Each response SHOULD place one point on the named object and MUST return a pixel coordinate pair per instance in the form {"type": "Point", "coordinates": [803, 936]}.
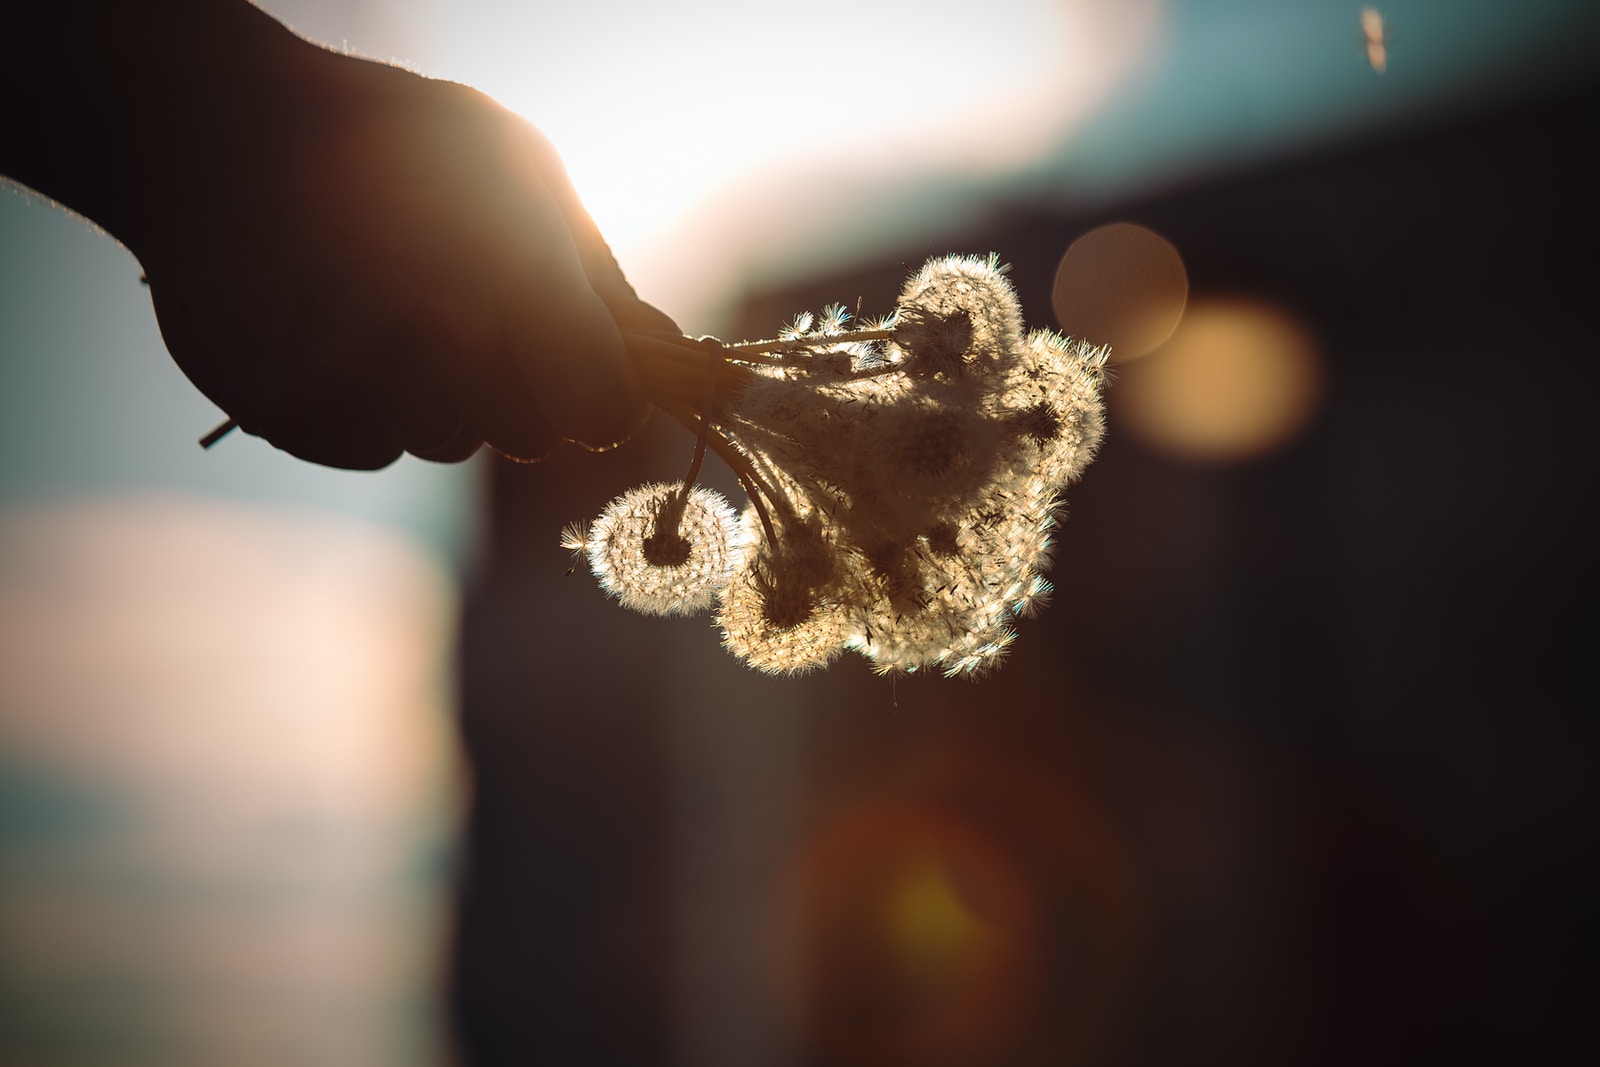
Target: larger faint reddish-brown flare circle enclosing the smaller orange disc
{"type": "Point", "coordinates": [964, 906]}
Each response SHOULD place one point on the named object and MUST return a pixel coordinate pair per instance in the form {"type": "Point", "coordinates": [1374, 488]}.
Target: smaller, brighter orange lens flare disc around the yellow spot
{"type": "Point", "coordinates": [906, 932]}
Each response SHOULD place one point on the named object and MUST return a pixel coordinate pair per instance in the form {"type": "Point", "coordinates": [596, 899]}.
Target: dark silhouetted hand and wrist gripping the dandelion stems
{"type": "Point", "coordinates": [356, 262]}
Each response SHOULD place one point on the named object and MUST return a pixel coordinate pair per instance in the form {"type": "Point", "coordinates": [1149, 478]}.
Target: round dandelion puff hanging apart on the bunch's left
{"type": "Point", "coordinates": [663, 551]}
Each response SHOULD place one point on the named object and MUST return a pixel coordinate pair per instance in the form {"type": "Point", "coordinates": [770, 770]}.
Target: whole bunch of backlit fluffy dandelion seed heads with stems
{"type": "Point", "coordinates": [903, 479]}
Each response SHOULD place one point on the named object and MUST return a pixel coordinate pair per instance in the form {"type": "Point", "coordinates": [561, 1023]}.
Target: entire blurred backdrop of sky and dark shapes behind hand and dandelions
{"type": "Point", "coordinates": [342, 769]}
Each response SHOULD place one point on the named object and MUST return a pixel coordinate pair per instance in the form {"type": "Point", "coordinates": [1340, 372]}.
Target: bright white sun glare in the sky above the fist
{"type": "Point", "coordinates": [670, 116]}
